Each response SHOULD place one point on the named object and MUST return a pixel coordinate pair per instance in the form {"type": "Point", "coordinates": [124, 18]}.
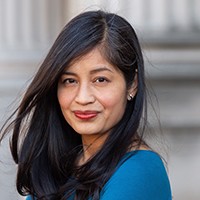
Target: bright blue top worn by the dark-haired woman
{"type": "Point", "coordinates": [140, 175]}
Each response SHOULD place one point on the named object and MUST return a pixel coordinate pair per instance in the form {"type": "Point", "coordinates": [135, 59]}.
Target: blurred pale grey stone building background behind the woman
{"type": "Point", "coordinates": [169, 31]}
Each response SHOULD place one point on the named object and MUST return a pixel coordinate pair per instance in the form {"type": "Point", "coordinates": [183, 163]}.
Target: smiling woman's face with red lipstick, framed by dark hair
{"type": "Point", "coordinates": [92, 95]}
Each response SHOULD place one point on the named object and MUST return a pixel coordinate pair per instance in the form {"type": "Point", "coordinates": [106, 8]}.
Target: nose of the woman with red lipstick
{"type": "Point", "coordinates": [84, 95]}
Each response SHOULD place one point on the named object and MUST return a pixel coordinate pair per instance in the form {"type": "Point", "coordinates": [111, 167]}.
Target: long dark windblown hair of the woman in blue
{"type": "Point", "coordinates": [43, 144]}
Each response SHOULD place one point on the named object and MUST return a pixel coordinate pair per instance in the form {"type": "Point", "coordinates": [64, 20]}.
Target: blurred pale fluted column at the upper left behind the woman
{"type": "Point", "coordinates": [29, 25]}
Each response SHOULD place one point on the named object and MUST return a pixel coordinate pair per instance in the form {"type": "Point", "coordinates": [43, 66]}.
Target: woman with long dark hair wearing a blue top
{"type": "Point", "coordinates": [77, 134]}
